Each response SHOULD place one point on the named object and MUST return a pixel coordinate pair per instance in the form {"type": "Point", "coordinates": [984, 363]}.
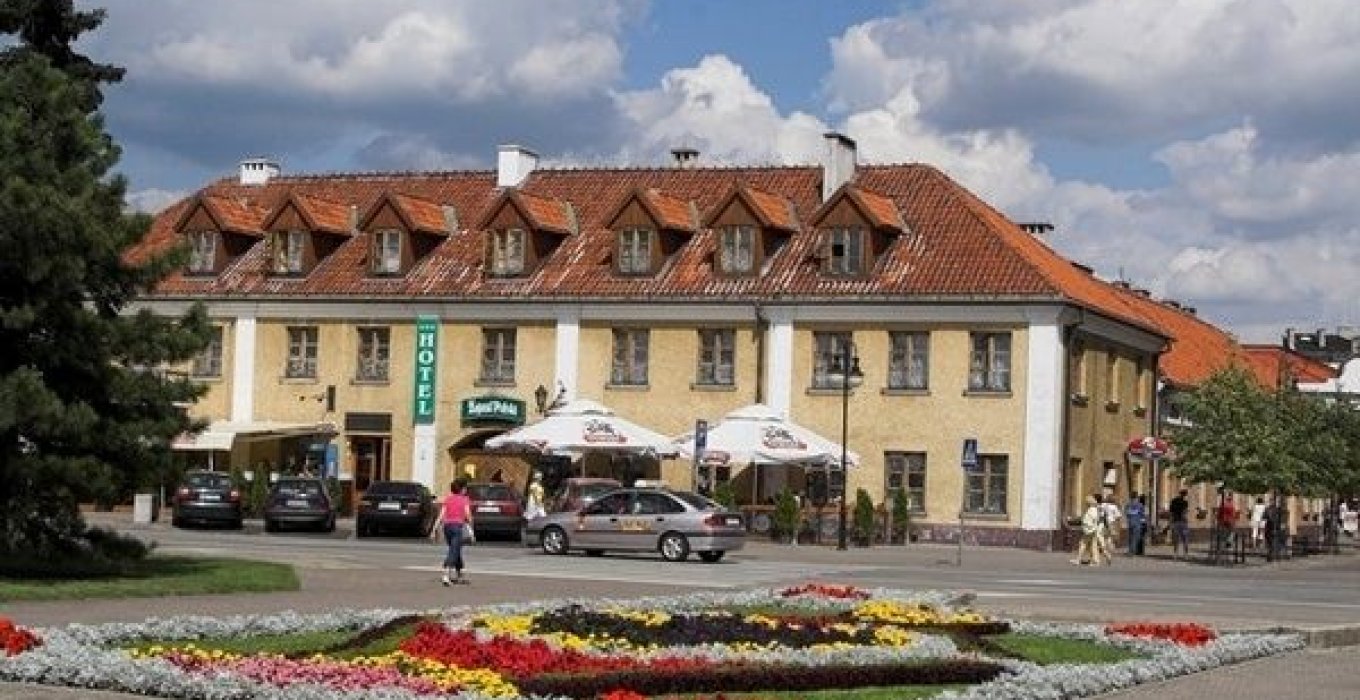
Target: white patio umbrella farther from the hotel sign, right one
{"type": "Point", "coordinates": [760, 436]}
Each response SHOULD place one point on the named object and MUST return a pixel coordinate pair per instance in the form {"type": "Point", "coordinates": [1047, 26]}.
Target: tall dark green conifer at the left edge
{"type": "Point", "coordinates": [85, 408]}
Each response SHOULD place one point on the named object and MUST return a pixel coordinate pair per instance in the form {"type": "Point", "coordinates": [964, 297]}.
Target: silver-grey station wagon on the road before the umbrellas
{"type": "Point", "coordinates": [643, 520]}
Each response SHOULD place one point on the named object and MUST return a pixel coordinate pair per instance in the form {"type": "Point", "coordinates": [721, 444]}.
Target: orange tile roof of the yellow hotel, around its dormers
{"type": "Point", "coordinates": [955, 247]}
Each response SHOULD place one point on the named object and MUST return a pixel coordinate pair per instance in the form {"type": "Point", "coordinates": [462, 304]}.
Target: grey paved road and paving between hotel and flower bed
{"type": "Point", "coordinates": [1313, 595]}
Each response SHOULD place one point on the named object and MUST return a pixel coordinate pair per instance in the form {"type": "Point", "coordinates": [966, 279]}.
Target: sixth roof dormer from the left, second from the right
{"type": "Point", "coordinates": [750, 226]}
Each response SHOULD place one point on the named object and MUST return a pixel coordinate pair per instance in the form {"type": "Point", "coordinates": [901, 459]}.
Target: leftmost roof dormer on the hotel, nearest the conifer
{"type": "Point", "coordinates": [218, 230]}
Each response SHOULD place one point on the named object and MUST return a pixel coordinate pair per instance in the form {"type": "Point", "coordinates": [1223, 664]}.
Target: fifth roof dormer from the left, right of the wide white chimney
{"type": "Point", "coordinates": [649, 228]}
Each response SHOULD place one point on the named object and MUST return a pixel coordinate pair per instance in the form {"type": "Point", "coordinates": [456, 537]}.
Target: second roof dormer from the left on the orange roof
{"type": "Point", "coordinates": [304, 230]}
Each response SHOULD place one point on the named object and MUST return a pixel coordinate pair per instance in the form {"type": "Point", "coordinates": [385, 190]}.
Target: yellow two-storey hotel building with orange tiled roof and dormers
{"type": "Point", "coordinates": [387, 326]}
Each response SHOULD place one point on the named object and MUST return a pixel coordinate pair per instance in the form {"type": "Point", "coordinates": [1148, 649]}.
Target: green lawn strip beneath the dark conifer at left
{"type": "Point", "coordinates": [160, 576]}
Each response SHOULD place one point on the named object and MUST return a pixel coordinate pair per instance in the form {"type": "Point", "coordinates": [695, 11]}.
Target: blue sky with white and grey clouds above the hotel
{"type": "Point", "coordinates": [1208, 150]}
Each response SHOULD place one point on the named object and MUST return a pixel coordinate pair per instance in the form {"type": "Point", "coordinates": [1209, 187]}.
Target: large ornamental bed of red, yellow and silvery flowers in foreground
{"type": "Point", "coordinates": [781, 641]}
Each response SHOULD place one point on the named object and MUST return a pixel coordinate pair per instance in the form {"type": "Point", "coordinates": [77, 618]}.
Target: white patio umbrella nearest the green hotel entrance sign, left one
{"type": "Point", "coordinates": [584, 426]}
